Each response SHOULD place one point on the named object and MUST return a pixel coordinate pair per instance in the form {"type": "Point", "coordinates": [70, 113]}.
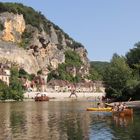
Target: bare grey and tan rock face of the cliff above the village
{"type": "Point", "coordinates": [35, 49]}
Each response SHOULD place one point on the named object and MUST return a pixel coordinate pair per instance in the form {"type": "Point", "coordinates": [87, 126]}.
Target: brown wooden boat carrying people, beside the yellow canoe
{"type": "Point", "coordinates": [126, 112]}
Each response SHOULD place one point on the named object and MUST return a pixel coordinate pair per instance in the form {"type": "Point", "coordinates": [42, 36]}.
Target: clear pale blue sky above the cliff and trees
{"type": "Point", "coordinates": [104, 27]}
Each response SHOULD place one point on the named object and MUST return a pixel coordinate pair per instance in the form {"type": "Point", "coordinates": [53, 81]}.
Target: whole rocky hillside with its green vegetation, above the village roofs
{"type": "Point", "coordinates": [45, 44]}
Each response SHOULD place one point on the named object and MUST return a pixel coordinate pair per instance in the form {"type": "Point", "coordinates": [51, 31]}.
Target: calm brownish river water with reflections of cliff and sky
{"type": "Point", "coordinates": [69, 120]}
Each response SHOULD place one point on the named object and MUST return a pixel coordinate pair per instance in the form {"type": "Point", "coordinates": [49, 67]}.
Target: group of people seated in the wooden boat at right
{"type": "Point", "coordinates": [119, 107]}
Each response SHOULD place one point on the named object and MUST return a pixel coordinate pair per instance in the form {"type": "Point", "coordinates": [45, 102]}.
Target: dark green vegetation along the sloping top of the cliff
{"type": "Point", "coordinates": [38, 20]}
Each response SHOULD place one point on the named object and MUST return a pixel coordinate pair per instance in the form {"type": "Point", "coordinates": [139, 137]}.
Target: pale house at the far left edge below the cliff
{"type": "Point", "coordinates": [5, 73]}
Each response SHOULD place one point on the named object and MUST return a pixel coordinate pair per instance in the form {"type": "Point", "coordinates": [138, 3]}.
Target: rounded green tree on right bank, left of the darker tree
{"type": "Point", "coordinates": [117, 76]}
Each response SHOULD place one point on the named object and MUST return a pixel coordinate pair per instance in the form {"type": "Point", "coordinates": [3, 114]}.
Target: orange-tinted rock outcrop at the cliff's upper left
{"type": "Point", "coordinates": [14, 26]}
